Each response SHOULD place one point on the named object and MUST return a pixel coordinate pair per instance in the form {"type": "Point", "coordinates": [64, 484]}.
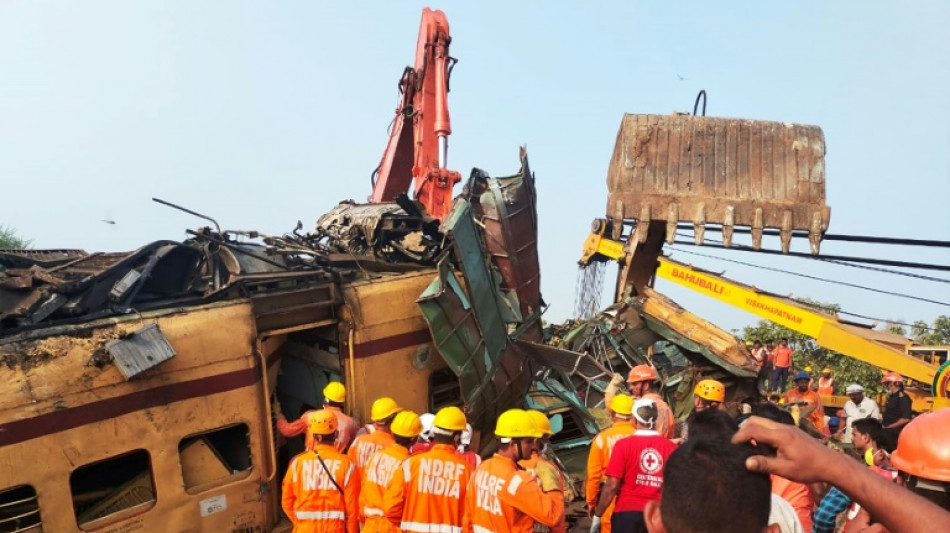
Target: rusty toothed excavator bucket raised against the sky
{"type": "Point", "coordinates": [728, 172]}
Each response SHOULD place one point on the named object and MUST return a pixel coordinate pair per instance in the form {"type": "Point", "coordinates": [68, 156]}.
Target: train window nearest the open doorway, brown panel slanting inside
{"type": "Point", "coordinates": [215, 457]}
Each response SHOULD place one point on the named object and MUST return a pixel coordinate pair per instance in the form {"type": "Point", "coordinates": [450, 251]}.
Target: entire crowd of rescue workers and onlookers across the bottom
{"type": "Point", "coordinates": [645, 473]}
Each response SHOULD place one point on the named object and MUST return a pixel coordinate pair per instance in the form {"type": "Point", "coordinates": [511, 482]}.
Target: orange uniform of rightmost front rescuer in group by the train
{"type": "Point", "coordinates": [501, 499]}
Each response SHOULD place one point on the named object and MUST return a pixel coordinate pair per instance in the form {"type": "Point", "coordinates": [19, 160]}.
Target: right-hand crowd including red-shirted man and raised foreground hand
{"type": "Point", "coordinates": [713, 479]}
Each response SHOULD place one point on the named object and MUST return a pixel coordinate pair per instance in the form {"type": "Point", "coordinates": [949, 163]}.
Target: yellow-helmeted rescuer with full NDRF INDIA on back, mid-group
{"type": "Point", "coordinates": [428, 492]}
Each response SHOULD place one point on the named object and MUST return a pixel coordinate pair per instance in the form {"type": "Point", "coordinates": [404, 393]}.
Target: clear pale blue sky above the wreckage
{"type": "Point", "coordinates": [263, 113]}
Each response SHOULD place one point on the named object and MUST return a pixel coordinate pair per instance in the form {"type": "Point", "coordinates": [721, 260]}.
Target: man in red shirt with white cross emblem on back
{"type": "Point", "coordinates": [635, 471]}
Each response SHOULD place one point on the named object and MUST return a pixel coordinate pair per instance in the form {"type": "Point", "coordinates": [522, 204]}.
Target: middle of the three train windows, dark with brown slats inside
{"type": "Point", "coordinates": [112, 490]}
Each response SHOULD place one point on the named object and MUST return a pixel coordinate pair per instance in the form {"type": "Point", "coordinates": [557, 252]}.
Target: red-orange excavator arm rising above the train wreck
{"type": "Point", "coordinates": [418, 143]}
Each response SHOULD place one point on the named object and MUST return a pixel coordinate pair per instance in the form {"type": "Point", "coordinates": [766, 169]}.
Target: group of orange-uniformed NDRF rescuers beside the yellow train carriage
{"type": "Point", "coordinates": [406, 472]}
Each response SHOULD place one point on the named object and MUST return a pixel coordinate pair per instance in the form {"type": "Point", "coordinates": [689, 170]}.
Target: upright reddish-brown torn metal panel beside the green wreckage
{"type": "Point", "coordinates": [507, 211]}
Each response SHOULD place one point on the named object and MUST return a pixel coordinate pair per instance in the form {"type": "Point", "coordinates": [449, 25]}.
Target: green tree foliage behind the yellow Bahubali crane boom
{"type": "Point", "coordinates": [807, 352]}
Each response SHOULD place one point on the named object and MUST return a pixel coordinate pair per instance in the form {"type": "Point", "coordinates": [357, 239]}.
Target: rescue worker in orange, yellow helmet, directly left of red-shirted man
{"type": "Point", "coordinates": [621, 407]}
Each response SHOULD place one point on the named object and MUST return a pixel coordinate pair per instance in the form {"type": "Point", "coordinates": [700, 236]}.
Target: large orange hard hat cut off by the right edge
{"type": "Point", "coordinates": [923, 448]}
